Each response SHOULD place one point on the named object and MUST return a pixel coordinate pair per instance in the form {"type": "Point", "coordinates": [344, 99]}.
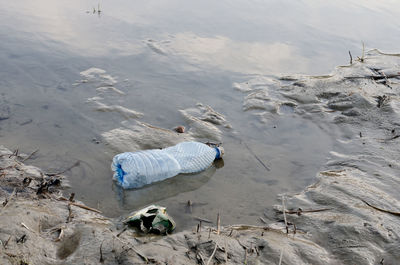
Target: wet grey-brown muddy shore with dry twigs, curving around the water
{"type": "Point", "coordinates": [350, 215]}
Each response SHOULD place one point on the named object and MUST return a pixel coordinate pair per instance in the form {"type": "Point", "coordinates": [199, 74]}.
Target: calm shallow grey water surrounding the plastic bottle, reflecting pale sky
{"type": "Point", "coordinates": [154, 59]}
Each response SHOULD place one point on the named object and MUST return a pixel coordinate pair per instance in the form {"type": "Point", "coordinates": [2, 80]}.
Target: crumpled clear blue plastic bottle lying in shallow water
{"type": "Point", "coordinates": [136, 169]}
